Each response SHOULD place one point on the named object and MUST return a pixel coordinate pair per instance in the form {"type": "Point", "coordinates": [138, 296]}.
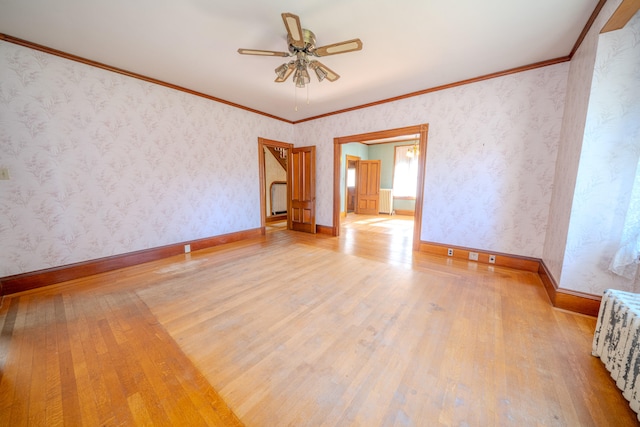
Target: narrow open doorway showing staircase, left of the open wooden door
{"type": "Point", "coordinates": [273, 158]}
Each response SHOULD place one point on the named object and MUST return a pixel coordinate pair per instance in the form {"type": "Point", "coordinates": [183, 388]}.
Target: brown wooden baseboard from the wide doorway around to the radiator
{"type": "Point", "coordinates": [565, 299]}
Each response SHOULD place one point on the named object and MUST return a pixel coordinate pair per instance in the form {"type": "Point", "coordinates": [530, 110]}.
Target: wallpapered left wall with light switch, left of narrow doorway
{"type": "Point", "coordinates": [104, 164]}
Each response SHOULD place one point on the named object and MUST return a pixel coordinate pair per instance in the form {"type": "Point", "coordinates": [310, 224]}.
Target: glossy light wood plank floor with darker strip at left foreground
{"type": "Point", "coordinates": [295, 329]}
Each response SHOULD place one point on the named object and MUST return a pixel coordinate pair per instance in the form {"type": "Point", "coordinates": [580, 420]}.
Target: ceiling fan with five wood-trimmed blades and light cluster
{"type": "Point", "coordinates": [302, 45]}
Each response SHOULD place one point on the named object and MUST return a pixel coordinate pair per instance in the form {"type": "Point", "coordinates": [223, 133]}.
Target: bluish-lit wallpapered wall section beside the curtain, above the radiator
{"type": "Point", "coordinates": [608, 165]}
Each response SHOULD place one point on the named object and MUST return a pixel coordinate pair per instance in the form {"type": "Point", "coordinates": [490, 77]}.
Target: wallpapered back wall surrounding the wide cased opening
{"type": "Point", "coordinates": [491, 155]}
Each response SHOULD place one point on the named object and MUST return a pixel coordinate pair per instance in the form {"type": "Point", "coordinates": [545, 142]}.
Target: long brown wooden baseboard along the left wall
{"type": "Point", "coordinates": [50, 276]}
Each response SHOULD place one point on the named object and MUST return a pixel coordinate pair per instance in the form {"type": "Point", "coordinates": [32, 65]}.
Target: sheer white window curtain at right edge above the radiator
{"type": "Point", "coordinates": [625, 261]}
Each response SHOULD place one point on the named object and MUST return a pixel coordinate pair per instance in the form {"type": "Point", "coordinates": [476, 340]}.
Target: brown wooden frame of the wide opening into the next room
{"type": "Point", "coordinates": [422, 131]}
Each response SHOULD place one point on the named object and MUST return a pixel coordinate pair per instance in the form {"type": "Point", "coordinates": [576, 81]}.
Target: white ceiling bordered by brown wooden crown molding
{"type": "Point", "coordinates": [409, 45]}
